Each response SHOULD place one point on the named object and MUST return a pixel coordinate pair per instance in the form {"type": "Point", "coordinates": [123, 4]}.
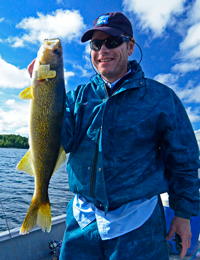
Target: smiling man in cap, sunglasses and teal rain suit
{"type": "Point", "coordinates": [129, 140]}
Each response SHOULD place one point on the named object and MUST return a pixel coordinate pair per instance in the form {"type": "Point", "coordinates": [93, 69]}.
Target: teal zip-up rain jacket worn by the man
{"type": "Point", "coordinates": [134, 144]}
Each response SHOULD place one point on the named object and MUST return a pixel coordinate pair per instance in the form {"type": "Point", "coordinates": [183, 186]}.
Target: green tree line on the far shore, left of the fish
{"type": "Point", "coordinates": [13, 141]}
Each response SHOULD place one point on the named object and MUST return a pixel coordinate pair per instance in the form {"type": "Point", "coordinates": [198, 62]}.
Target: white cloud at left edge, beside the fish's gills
{"type": "Point", "coordinates": [13, 77]}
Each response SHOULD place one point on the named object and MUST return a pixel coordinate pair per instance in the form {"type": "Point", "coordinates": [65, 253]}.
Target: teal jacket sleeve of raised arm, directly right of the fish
{"type": "Point", "coordinates": [67, 133]}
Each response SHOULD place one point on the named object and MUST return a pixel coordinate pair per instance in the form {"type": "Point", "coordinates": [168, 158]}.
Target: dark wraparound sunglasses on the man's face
{"type": "Point", "coordinates": [110, 43]}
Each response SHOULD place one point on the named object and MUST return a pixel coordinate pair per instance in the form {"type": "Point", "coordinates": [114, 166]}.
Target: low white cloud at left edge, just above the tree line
{"type": "Point", "coordinates": [16, 118]}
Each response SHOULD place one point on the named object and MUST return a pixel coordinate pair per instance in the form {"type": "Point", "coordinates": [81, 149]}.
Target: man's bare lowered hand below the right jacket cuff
{"type": "Point", "coordinates": [181, 226]}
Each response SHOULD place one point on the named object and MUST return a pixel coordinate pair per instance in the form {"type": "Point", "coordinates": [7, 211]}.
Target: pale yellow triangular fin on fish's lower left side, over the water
{"type": "Point", "coordinates": [26, 165]}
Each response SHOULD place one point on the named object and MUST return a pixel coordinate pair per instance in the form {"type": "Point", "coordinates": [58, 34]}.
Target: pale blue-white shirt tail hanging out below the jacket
{"type": "Point", "coordinates": [116, 222]}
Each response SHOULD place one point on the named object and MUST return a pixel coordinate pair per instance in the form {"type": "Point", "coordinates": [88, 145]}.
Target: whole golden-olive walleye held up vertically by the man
{"type": "Point", "coordinates": [45, 154]}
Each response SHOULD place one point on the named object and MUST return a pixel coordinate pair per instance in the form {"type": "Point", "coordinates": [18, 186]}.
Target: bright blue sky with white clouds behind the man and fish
{"type": "Point", "coordinates": [167, 31]}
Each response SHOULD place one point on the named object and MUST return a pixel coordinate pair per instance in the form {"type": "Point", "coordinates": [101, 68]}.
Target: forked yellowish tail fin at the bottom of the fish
{"type": "Point", "coordinates": [39, 214]}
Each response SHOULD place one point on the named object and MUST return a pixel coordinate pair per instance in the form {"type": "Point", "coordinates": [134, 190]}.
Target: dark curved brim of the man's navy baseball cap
{"type": "Point", "coordinates": [112, 31]}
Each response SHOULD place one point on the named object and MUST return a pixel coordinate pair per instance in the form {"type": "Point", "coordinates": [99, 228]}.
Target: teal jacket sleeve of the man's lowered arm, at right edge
{"type": "Point", "coordinates": [181, 157]}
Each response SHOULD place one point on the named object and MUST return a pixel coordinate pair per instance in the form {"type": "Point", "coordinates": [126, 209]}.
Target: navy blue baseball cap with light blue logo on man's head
{"type": "Point", "coordinates": [114, 24]}
